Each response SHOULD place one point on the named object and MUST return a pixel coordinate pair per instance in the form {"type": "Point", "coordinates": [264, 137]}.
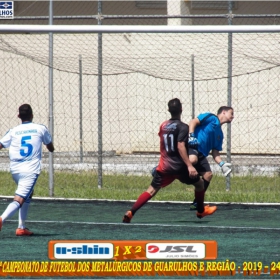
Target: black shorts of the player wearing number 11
{"type": "Point", "coordinates": [162, 180]}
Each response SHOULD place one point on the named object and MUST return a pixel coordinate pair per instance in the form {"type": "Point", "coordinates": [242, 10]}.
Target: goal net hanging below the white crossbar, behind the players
{"type": "Point", "coordinates": [110, 94]}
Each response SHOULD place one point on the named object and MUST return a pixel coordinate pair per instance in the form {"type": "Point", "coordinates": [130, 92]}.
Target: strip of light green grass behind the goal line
{"type": "Point", "coordinates": [247, 189]}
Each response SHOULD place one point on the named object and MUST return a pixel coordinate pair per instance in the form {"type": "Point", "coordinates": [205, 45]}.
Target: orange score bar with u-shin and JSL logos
{"type": "Point", "coordinates": [132, 250]}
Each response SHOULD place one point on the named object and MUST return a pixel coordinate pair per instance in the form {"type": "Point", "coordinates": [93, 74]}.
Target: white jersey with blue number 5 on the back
{"type": "Point", "coordinates": [25, 147]}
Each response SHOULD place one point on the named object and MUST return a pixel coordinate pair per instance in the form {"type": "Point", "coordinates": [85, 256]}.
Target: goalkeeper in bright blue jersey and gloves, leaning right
{"type": "Point", "coordinates": [205, 136]}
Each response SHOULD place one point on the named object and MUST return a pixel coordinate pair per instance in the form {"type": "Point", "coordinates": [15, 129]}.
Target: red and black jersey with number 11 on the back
{"type": "Point", "coordinates": [171, 132]}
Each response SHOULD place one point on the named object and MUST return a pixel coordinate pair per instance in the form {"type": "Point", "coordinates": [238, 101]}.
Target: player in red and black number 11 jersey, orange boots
{"type": "Point", "coordinates": [174, 164]}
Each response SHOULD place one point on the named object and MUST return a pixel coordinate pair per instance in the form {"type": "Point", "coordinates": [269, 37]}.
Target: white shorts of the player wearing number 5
{"type": "Point", "coordinates": [25, 183]}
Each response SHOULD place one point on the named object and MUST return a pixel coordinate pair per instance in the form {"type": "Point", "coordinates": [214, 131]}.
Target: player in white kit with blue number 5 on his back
{"type": "Point", "coordinates": [25, 151]}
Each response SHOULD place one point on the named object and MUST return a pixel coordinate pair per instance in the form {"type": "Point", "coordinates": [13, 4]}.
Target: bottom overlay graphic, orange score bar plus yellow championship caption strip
{"type": "Point", "coordinates": [133, 258]}
